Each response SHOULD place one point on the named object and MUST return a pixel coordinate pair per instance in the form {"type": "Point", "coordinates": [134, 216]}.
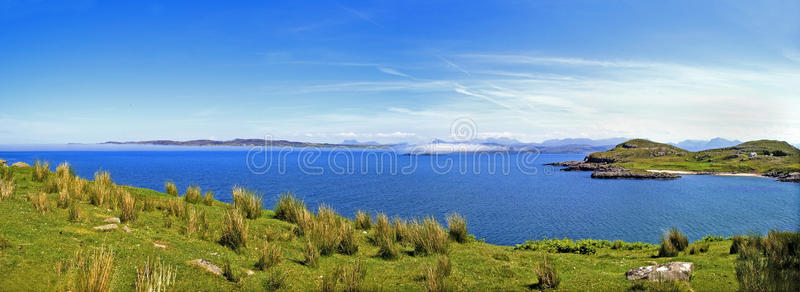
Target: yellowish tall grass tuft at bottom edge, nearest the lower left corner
{"type": "Point", "coordinates": [94, 270]}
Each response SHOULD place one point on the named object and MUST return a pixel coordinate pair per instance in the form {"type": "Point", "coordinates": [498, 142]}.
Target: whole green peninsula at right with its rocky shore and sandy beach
{"type": "Point", "coordinates": [644, 159]}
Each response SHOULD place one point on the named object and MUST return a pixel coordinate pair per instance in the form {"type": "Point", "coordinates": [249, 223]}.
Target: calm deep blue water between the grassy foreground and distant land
{"type": "Point", "coordinates": [504, 208]}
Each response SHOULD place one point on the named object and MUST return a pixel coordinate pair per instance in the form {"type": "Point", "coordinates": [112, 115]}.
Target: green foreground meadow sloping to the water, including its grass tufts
{"type": "Point", "coordinates": [48, 243]}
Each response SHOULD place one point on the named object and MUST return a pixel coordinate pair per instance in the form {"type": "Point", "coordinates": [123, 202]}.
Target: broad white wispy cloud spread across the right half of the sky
{"type": "Point", "coordinates": [632, 98]}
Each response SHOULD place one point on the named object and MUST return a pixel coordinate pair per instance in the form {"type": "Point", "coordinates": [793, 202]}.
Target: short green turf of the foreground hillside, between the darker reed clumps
{"type": "Point", "coordinates": [40, 236]}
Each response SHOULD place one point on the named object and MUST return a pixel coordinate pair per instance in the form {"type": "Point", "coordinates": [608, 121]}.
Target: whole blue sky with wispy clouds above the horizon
{"type": "Point", "coordinates": [93, 71]}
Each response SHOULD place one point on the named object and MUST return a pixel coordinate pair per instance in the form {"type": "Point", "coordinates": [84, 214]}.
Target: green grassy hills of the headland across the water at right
{"type": "Point", "coordinates": [770, 156]}
